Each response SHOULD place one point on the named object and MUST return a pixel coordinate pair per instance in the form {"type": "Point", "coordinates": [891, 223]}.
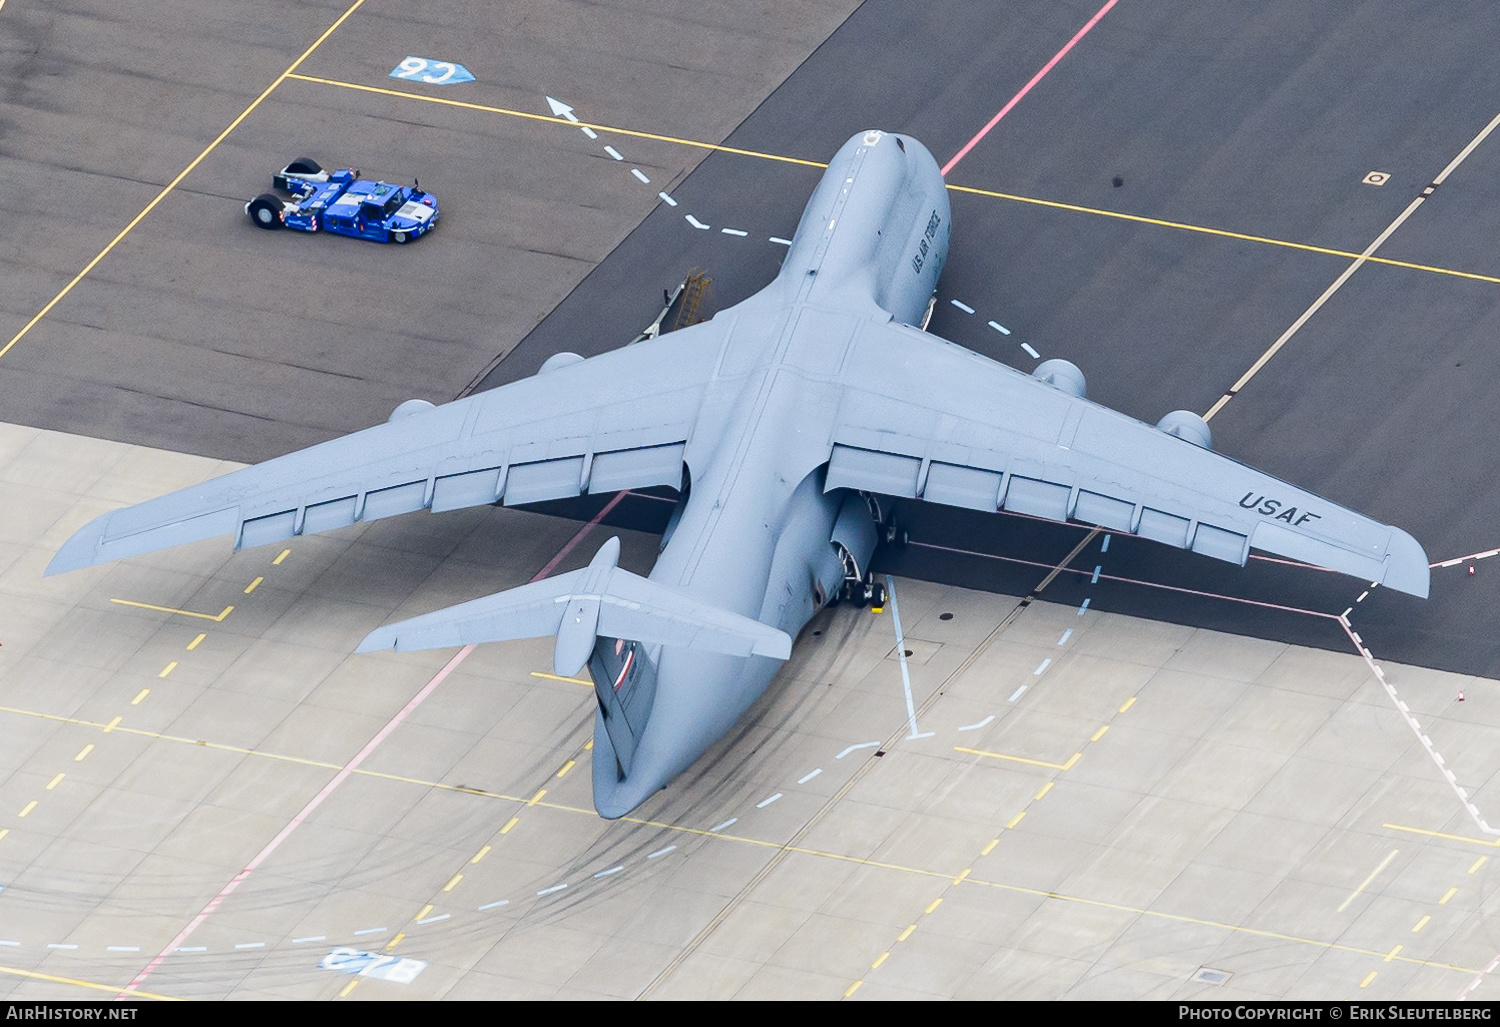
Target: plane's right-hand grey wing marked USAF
{"type": "Point", "coordinates": [925, 419]}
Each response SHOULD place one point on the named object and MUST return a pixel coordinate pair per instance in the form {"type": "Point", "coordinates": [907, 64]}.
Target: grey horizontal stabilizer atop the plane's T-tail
{"type": "Point", "coordinates": [578, 608]}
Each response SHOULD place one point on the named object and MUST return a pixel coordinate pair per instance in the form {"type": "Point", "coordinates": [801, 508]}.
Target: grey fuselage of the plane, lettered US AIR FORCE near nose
{"type": "Point", "coordinates": [754, 536]}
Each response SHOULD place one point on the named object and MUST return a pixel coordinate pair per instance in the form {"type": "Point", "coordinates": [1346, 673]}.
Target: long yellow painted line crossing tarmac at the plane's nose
{"type": "Point", "coordinates": [991, 194]}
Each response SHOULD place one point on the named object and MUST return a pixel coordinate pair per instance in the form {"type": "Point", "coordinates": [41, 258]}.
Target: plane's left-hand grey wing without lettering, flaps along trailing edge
{"type": "Point", "coordinates": [620, 421]}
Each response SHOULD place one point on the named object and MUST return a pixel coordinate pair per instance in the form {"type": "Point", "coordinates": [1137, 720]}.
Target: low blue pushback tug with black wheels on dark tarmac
{"type": "Point", "coordinates": [341, 202]}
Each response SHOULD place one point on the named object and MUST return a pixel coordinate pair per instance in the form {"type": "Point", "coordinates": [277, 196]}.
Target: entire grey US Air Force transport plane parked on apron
{"type": "Point", "coordinates": [778, 422]}
